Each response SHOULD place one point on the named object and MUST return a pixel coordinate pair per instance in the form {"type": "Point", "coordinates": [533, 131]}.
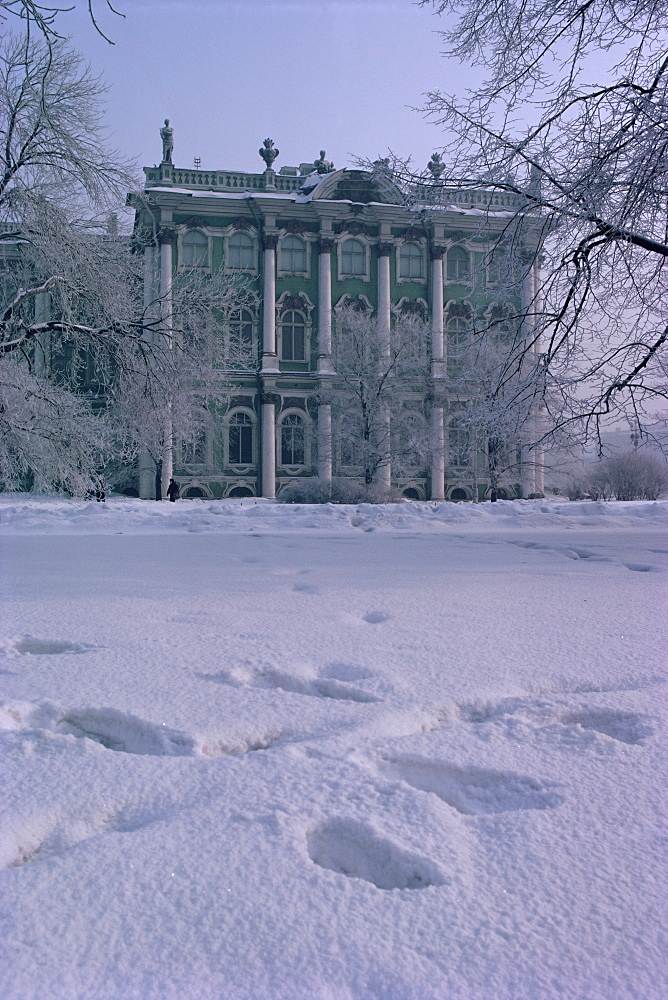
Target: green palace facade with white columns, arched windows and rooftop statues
{"type": "Point", "coordinates": [308, 241]}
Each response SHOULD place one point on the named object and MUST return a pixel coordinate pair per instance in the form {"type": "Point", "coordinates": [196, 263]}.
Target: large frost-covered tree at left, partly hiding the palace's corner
{"type": "Point", "coordinates": [81, 343]}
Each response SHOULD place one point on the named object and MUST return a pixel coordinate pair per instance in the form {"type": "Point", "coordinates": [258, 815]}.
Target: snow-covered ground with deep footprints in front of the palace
{"type": "Point", "coordinates": [257, 752]}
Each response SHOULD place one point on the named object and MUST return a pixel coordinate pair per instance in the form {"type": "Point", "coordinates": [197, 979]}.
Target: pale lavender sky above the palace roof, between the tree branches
{"type": "Point", "coordinates": [339, 75]}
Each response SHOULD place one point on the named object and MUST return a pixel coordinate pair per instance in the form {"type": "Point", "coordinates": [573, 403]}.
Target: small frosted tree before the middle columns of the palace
{"type": "Point", "coordinates": [377, 427]}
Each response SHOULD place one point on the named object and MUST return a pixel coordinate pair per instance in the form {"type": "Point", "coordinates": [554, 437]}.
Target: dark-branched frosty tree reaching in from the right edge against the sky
{"type": "Point", "coordinates": [571, 116]}
